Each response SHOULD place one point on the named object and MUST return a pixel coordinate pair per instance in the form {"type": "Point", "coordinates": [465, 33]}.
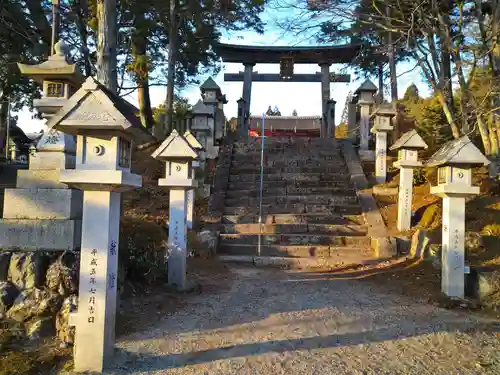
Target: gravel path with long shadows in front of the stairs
{"type": "Point", "coordinates": [279, 322]}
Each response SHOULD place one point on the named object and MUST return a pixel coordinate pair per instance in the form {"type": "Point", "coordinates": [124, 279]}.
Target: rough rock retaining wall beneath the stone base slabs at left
{"type": "Point", "coordinates": [37, 292]}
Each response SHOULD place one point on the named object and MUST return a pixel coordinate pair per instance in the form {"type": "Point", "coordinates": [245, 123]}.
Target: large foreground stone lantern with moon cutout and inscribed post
{"type": "Point", "coordinates": [106, 127]}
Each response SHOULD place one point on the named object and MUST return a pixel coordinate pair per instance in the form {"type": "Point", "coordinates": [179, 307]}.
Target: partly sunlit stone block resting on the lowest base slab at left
{"type": "Point", "coordinates": [42, 204]}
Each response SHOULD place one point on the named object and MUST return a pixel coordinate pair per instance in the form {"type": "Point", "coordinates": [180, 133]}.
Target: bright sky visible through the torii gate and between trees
{"type": "Point", "coordinates": [303, 97]}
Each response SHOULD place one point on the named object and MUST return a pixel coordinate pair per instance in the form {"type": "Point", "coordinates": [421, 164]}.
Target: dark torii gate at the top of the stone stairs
{"type": "Point", "coordinates": [324, 56]}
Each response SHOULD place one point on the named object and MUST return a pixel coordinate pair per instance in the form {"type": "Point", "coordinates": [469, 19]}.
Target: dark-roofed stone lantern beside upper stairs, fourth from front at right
{"type": "Point", "coordinates": [365, 100]}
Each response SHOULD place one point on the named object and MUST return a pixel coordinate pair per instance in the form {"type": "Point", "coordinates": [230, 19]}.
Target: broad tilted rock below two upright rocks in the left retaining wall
{"type": "Point", "coordinates": [34, 302]}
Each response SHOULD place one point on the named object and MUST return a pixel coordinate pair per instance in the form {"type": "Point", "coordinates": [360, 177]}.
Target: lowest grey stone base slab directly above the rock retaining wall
{"type": "Point", "coordinates": [32, 235]}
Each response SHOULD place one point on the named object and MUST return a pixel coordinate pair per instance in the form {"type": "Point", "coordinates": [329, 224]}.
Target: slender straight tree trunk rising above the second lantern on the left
{"type": "Point", "coordinates": [172, 54]}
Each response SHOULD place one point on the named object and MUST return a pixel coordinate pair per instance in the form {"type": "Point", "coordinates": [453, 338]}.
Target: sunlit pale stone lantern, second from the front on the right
{"type": "Point", "coordinates": [407, 146]}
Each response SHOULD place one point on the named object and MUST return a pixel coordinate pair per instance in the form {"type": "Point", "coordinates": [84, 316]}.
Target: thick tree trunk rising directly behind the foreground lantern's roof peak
{"type": "Point", "coordinates": [106, 43]}
